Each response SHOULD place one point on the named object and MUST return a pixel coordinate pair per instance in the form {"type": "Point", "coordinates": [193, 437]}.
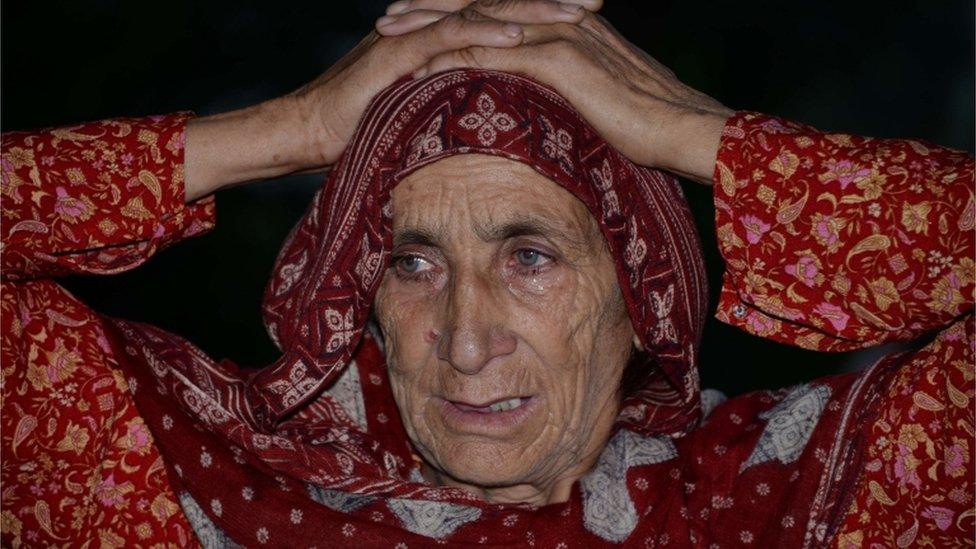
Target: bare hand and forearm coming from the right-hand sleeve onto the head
{"type": "Point", "coordinates": [653, 118]}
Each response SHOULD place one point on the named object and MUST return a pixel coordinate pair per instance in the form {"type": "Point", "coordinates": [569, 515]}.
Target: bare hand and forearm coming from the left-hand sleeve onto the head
{"type": "Point", "coordinates": [308, 129]}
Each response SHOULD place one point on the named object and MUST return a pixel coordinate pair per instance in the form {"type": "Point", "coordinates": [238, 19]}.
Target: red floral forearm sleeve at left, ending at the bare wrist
{"type": "Point", "coordinates": [97, 198]}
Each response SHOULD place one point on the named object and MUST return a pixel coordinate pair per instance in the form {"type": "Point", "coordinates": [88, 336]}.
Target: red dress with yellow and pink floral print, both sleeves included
{"type": "Point", "coordinates": [832, 242]}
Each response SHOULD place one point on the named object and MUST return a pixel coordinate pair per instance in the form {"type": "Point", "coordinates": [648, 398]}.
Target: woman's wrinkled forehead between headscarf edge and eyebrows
{"type": "Point", "coordinates": [489, 198]}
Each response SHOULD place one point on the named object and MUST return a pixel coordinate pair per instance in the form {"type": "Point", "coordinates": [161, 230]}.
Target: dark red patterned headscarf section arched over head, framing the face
{"type": "Point", "coordinates": [327, 274]}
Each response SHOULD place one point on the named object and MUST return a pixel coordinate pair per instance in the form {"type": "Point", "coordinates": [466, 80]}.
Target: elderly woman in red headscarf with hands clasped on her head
{"type": "Point", "coordinates": [490, 315]}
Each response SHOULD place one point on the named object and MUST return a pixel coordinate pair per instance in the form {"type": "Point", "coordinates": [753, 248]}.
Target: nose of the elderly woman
{"type": "Point", "coordinates": [472, 336]}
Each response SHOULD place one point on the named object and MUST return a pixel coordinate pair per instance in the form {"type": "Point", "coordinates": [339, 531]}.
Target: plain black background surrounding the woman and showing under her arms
{"type": "Point", "coordinates": [892, 69]}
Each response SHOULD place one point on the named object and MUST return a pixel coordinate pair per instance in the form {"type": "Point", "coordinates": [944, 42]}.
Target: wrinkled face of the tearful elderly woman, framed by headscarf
{"type": "Point", "coordinates": [506, 333]}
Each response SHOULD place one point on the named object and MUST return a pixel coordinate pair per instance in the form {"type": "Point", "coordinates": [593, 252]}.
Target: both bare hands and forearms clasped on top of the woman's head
{"type": "Point", "coordinates": [653, 118]}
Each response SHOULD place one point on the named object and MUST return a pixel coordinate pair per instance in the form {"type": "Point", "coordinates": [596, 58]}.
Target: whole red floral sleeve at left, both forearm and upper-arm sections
{"type": "Point", "coordinates": [79, 462]}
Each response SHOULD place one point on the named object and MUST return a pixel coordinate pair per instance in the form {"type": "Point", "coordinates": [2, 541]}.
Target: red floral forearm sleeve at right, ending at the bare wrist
{"type": "Point", "coordinates": [835, 242]}
